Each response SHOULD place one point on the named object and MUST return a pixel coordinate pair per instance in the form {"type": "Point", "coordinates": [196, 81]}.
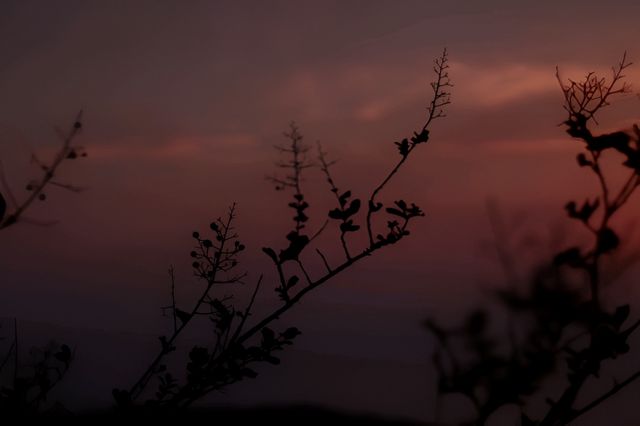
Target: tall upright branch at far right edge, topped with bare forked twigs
{"type": "Point", "coordinates": [582, 101]}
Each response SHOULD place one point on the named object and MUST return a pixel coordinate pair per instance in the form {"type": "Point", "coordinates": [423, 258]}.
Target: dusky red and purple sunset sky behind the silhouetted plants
{"type": "Point", "coordinates": [184, 100]}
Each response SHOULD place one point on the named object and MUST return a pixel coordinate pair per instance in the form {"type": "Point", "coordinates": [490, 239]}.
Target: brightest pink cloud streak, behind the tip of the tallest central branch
{"type": "Point", "coordinates": [374, 91]}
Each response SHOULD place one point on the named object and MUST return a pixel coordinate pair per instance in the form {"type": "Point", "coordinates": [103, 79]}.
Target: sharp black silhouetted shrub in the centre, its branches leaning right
{"type": "Point", "coordinates": [240, 342]}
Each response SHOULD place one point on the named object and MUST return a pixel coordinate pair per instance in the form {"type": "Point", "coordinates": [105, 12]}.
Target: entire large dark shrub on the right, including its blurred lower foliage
{"type": "Point", "coordinates": [563, 295]}
